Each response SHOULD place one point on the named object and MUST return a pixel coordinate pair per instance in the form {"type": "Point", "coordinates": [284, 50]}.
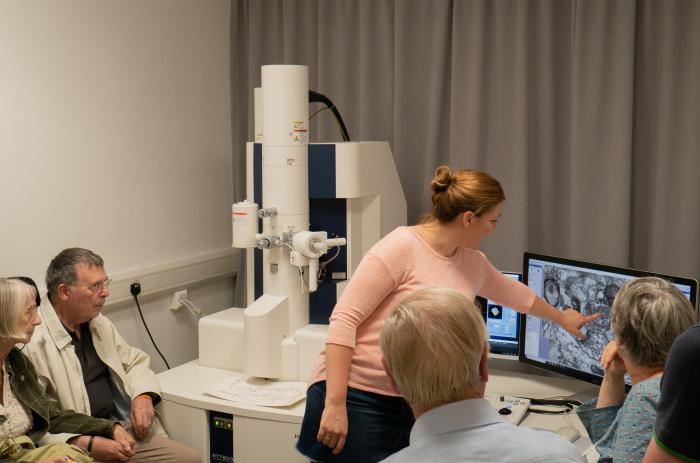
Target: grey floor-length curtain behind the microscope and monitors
{"type": "Point", "coordinates": [588, 112]}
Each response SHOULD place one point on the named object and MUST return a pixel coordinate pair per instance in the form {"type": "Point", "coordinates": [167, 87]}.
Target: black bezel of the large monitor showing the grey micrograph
{"type": "Point", "coordinates": [635, 273]}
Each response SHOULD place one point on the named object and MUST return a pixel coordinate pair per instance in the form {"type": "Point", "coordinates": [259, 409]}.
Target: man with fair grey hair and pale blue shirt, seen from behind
{"type": "Point", "coordinates": [435, 349]}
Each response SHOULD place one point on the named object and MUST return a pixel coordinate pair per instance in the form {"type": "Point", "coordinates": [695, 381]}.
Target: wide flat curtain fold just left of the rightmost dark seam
{"type": "Point", "coordinates": [600, 118]}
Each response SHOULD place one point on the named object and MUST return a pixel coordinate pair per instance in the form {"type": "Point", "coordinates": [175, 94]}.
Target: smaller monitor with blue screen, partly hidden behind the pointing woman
{"type": "Point", "coordinates": [503, 324]}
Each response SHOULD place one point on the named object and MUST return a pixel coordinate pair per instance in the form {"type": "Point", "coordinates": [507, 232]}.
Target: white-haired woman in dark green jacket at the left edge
{"type": "Point", "coordinates": [26, 415]}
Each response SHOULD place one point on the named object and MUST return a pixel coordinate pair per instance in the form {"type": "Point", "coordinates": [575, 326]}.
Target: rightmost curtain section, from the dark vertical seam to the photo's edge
{"type": "Point", "coordinates": [666, 162]}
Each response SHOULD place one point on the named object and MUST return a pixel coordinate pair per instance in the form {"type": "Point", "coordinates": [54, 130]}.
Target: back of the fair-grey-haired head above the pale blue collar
{"type": "Point", "coordinates": [433, 343]}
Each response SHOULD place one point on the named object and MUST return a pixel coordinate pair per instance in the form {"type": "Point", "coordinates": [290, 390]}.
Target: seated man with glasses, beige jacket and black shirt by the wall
{"type": "Point", "coordinates": [85, 365]}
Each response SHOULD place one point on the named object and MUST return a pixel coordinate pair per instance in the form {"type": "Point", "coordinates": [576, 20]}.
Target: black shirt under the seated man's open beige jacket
{"type": "Point", "coordinates": [95, 374]}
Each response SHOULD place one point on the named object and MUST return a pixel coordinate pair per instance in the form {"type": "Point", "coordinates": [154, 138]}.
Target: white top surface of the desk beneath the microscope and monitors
{"type": "Point", "coordinates": [185, 385]}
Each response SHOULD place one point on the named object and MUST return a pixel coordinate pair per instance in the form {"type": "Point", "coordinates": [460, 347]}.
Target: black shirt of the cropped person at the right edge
{"type": "Point", "coordinates": [676, 422]}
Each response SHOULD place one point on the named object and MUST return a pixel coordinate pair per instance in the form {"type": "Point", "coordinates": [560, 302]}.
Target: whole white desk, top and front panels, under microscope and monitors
{"type": "Point", "coordinates": [264, 434]}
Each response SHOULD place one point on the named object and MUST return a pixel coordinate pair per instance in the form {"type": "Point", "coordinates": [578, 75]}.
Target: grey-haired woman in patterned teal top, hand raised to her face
{"type": "Point", "coordinates": [647, 315]}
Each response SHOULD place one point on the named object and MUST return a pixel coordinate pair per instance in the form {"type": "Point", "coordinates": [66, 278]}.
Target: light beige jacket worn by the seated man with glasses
{"type": "Point", "coordinates": [59, 370]}
